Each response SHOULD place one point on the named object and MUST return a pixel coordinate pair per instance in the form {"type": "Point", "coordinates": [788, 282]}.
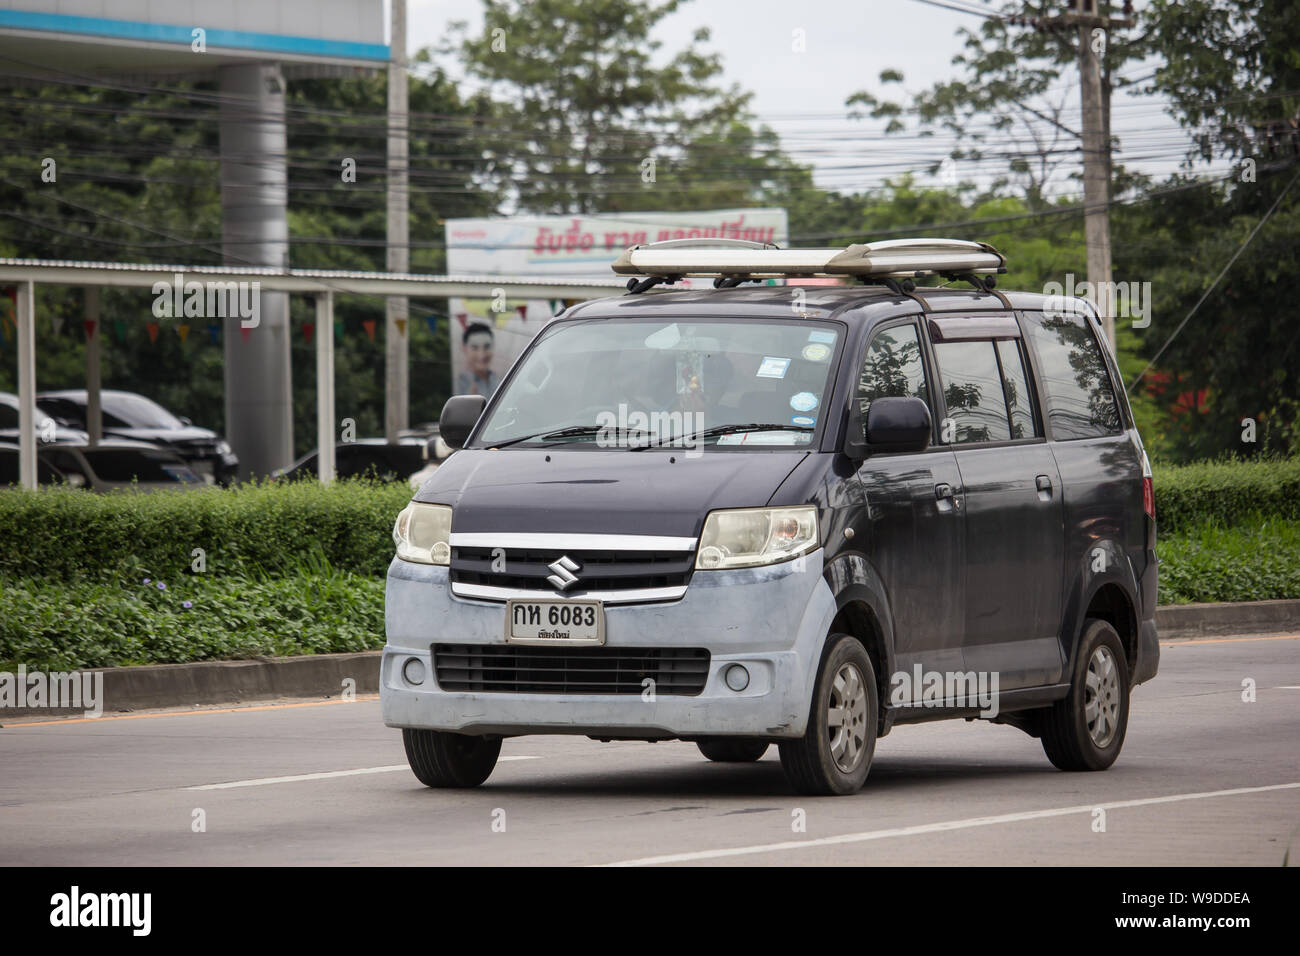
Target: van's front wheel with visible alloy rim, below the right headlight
{"type": "Point", "coordinates": [835, 755]}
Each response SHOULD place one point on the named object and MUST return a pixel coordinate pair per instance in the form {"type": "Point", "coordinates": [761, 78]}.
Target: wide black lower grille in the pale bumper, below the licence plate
{"type": "Point", "coordinates": [521, 669]}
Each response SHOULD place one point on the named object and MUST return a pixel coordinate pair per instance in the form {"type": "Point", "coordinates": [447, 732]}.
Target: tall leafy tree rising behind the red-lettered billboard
{"type": "Point", "coordinates": [587, 120]}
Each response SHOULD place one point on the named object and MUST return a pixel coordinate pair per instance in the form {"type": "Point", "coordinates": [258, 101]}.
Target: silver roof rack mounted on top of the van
{"type": "Point", "coordinates": [740, 261]}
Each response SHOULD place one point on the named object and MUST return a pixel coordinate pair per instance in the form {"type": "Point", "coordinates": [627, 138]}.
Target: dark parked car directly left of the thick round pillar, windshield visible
{"type": "Point", "coordinates": [131, 416]}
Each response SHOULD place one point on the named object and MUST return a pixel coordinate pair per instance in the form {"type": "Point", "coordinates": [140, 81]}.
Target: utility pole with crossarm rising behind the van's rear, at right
{"type": "Point", "coordinates": [1094, 34]}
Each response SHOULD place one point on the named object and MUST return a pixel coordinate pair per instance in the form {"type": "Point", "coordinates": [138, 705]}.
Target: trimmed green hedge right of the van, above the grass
{"type": "Point", "coordinates": [1225, 494]}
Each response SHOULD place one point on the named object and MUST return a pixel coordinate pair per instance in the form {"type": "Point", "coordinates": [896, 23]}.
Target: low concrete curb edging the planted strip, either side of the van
{"type": "Point", "coordinates": [323, 676]}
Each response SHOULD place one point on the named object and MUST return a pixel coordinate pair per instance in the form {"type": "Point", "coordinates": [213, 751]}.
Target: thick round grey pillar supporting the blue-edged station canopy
{"type": "Point", "coordinates": [255, 232]}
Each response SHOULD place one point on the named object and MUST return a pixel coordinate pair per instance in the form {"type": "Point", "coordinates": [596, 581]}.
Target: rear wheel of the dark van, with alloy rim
{"type": "Point", "coordinates": [1080, 734]}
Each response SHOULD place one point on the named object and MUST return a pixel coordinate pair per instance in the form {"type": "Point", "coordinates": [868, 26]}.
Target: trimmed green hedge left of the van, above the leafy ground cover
{"type": "Point", "coordinates": [272, 530]}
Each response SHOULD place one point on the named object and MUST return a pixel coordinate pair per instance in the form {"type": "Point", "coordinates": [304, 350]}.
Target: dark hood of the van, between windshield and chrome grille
{"type": "Point", "coordinates": [616, 492]}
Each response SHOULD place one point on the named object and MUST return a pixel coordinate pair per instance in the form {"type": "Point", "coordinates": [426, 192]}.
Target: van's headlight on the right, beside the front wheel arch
{"type": "Point", "coordinates": [753, 537]}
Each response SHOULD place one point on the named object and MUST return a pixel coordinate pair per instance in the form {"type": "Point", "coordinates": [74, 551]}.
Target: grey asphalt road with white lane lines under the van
{"type": "Point", "coordinates": [1204, 780]}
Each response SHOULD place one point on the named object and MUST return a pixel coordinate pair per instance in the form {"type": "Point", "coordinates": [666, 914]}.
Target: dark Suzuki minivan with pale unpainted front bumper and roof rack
{"type": "Point", "coordinates": [782, 514]}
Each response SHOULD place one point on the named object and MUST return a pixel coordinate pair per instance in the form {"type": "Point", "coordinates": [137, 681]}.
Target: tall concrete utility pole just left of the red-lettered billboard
{"type": "Point", "coordinates": [397, 327]}
